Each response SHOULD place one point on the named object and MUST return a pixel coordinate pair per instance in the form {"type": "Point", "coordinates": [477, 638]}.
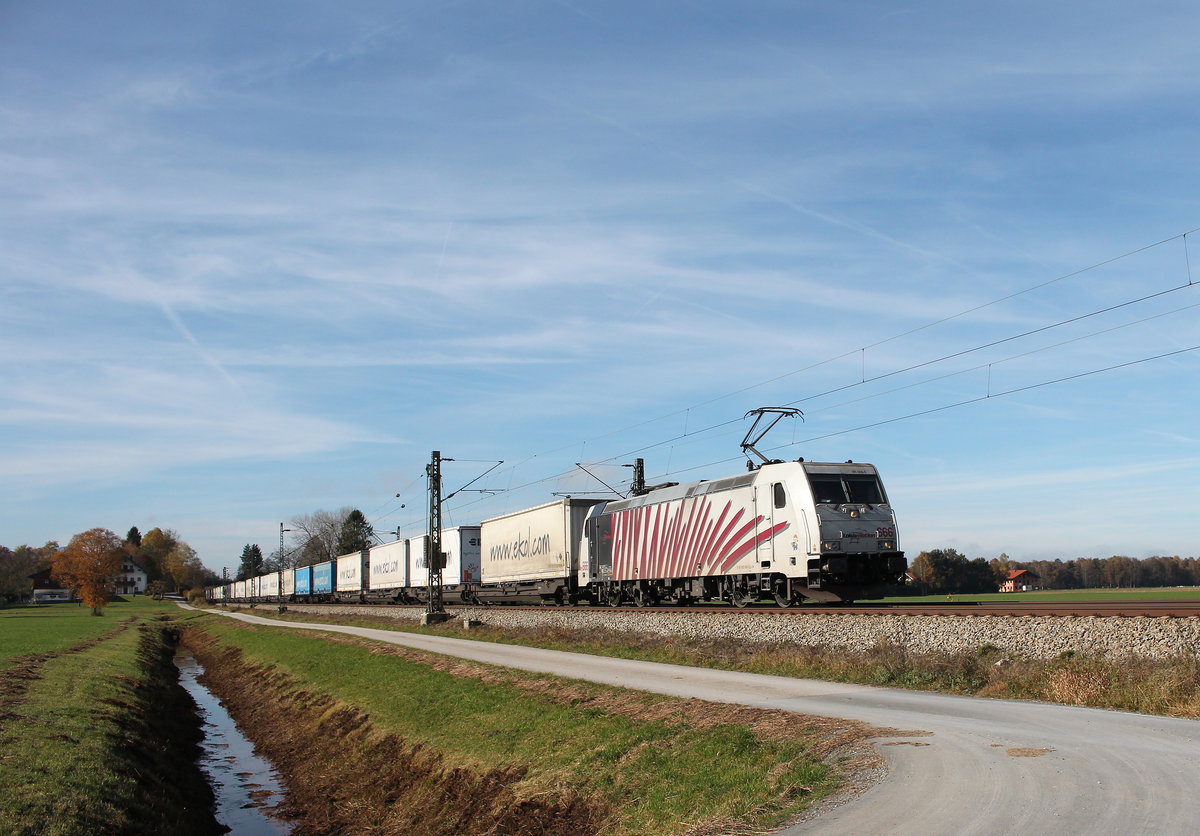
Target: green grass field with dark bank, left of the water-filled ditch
{"type": "Point", "coordinates": [80, 754]}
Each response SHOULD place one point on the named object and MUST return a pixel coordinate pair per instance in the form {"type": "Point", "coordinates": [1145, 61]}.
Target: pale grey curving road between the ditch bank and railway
{"type": "Point", "coordinates": [989, 767]}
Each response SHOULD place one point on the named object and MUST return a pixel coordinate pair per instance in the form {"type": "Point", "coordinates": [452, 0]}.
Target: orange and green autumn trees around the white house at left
{"type": "Point", "coordinates": [94, 560]}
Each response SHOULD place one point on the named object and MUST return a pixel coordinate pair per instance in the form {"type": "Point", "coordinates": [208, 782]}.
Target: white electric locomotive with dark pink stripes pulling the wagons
{"type": "Point", "coordinates": [789, 532]}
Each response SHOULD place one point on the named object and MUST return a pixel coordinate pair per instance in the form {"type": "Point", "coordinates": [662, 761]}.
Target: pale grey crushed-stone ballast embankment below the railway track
{"type": "Point", "coordinates": [1030, 636]}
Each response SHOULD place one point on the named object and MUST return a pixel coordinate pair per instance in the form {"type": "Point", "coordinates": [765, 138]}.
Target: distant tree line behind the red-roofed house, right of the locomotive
{"type": "Point", "coordinates": [946, 572]}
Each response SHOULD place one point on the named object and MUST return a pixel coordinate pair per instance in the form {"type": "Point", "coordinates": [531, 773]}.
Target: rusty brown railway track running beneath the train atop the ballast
{"type": "Point", "coordinates": [1015, 610]}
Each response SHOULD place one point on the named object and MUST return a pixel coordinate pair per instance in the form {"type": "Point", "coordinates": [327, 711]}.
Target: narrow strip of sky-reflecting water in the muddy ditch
{"type": "Point", "coordinates": [245, 785]}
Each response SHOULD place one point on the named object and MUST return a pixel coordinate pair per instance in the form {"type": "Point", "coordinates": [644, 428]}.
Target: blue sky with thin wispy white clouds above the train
{"type": "Point", "coordinates": [260, 260]}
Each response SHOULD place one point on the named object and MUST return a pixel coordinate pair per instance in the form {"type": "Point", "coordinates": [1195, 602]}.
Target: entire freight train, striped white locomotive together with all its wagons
{"type": "Point", "coordinates": [787, 531]}
